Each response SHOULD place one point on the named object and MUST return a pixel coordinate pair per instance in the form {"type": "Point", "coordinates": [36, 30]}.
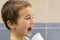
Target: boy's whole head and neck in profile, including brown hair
{"type": "Point", "coordinates": [17, 16]}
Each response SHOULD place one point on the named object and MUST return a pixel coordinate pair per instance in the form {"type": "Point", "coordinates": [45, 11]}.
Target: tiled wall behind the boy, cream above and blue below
{"type": "Point", "coordinates": [46, 17]}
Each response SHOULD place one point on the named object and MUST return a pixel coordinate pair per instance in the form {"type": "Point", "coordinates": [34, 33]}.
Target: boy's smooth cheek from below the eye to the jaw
{"type": "Point", "coordinates": [22, 26]}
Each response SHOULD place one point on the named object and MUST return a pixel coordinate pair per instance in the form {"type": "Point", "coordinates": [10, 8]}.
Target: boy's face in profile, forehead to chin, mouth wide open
{"type": "Point", "coordinates": [24, 22]}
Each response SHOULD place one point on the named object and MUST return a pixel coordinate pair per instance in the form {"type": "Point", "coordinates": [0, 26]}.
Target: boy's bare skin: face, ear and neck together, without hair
{"type": "Point", "coordinates": [25, 21]}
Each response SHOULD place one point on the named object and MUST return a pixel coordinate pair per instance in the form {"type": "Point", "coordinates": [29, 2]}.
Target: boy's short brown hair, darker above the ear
{"type": "Point", "coordinates": [10, 10]}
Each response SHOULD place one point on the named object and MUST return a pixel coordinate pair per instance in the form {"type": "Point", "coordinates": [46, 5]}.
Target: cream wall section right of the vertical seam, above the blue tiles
{"type": "Point", "coordinates": [53, 11]}
